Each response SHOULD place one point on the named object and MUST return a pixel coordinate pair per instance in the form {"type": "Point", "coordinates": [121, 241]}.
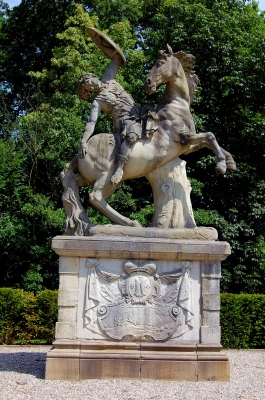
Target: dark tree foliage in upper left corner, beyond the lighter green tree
{"type": "Point", "coordinates": [26, 43]}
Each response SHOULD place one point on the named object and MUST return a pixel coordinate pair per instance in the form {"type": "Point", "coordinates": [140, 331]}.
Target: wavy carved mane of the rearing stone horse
{"type": "Point", "coordinates": [187, 61]}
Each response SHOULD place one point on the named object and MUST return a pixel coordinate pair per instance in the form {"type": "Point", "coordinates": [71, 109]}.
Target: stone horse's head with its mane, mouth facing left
{"type": "Point", "coordinates": [170, 66]}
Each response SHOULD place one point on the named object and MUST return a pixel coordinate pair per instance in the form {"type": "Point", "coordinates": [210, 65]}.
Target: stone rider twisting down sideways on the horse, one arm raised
{"type": "Point", "coordinates": [127, 116]}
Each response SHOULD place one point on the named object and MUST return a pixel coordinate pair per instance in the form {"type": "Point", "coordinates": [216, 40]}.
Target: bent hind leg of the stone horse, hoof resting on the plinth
{"type": "Point", "coordinates": [102, 189]}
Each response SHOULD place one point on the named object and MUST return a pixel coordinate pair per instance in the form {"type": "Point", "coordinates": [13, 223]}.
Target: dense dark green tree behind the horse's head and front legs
{"type": "Point", "coordinates": [227, 38]}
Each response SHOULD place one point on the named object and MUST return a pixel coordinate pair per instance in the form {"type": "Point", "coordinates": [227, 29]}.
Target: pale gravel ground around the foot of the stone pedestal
{"type": "Point", "coordinates": [22, 377]}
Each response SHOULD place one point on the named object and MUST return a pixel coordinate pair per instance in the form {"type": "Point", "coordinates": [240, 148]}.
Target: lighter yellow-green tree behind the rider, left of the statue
{"type": "Point", "coordinates": [44, 138]}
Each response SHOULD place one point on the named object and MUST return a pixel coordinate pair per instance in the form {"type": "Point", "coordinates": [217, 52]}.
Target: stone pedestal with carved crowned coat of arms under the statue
{"type": "Point", "coordinates": [138, 308]}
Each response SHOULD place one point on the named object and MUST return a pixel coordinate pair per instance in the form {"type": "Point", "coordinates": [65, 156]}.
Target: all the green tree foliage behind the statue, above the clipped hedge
{"type": "Point", "coordinates": [44, 50]}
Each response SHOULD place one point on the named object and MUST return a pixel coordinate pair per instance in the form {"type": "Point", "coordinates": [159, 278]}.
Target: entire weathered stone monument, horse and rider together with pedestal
{"type": "Point", "coordinates": [132, 300]}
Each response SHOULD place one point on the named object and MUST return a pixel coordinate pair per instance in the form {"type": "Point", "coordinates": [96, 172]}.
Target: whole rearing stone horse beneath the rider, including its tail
{"type": "Point", "coordinates": [176, 135]}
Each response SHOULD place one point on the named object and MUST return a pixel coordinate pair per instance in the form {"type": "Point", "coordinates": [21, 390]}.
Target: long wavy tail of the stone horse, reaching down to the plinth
{"type": "Point", "coordinates": [77, 222]}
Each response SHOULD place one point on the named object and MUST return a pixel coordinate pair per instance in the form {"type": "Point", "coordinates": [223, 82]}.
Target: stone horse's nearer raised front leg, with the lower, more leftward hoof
{"type": "Point", "coordinates": [208, 140]}
